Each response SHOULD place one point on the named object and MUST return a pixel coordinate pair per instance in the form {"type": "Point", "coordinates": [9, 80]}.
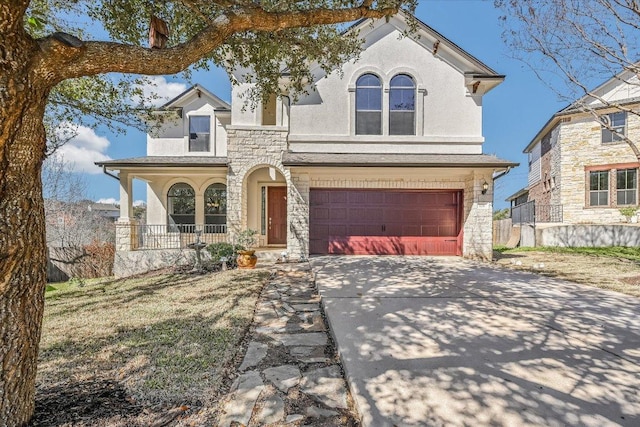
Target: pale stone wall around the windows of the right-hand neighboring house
{"type": "Point", "coordinates": [581, 146]}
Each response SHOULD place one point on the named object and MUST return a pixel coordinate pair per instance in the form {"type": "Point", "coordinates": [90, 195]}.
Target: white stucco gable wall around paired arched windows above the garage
{"type": "Point", "coordinates": [445, 112]}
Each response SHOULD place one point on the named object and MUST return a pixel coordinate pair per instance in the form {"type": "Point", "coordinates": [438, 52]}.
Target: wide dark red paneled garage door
{"type": "Point", "coordinates": [367, 222]}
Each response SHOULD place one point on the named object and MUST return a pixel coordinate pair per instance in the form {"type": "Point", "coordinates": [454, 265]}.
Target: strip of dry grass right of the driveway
{"type": "Point", "coordinates": [605, 269]}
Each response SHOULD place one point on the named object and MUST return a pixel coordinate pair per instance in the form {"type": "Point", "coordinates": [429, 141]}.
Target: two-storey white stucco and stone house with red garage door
{"type": "Point", "coordinates": [385, 159]}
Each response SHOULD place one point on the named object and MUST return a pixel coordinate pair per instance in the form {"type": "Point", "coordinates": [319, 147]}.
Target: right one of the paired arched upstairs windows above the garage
{"type": "Point", "coordinates": [402, 105]}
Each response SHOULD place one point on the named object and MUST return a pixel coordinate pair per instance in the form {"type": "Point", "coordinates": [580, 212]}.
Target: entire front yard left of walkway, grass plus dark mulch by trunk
{"type": "Point", "coordinates": [158, 349]}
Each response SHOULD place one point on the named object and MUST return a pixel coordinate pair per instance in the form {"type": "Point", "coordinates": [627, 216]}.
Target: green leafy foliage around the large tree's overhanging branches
{"type": "Point", "coordinates": [118, 100]}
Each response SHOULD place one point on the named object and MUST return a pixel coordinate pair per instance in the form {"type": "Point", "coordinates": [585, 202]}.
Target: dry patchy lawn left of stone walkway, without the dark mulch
{"type": "Point", "coordinates": [167, 339]}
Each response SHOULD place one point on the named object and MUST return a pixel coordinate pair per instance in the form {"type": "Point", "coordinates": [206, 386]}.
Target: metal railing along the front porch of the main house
{"type": "Point", "coordinates": [174, 236]}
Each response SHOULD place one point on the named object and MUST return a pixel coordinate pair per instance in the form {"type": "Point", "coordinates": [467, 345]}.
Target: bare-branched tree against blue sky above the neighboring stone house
{"type": "Point", "coordinates": [575, 45]}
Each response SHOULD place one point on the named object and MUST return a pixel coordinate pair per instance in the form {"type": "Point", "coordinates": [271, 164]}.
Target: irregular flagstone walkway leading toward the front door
{"type": "Point", "coordinates": [290, 374]}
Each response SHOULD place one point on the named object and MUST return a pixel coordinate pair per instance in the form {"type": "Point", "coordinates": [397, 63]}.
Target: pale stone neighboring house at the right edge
{"type": "Point", "coordinates": [579, 171]}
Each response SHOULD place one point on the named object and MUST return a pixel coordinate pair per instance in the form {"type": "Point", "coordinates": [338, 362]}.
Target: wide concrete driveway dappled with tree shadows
{"type": "Point", "coordinates": [445, 341]}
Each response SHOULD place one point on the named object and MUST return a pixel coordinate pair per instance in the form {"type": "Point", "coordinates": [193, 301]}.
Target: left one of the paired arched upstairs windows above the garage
{"type": "Point", "coordinates": [368, 105]}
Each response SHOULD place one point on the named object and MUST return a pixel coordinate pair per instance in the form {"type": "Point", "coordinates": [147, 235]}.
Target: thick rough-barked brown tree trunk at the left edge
{"type": "Point", "coordinates": [23, 96]}
